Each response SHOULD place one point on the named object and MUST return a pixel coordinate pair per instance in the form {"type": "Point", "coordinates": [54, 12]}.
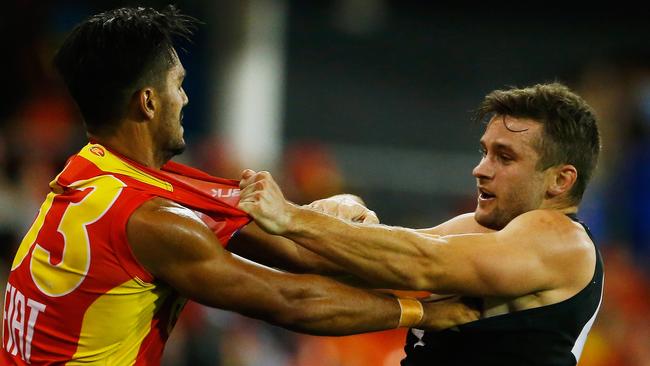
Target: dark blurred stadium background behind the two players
{"type": "Point", "coordinates": [372, 97]}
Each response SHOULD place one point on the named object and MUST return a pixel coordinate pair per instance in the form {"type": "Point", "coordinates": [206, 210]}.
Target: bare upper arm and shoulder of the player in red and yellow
{"type": "Point", "coordinates": [178, 249]}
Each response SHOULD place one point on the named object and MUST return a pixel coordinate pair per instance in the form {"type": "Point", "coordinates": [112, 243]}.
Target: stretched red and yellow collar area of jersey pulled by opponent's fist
{"type": "Point", "coordinates": [213, 199]}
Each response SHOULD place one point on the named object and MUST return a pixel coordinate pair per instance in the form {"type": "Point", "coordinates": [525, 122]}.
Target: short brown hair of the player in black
{"type": "Point", "coordinates": [570, 134]}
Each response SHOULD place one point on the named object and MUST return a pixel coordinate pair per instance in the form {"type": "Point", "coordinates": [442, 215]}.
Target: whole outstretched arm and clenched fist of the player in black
{"type": "Point", "coordinates": [537, 251]}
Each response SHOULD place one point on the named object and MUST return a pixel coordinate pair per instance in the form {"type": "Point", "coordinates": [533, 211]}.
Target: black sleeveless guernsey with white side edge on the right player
{"type": "Point", "coordinates": [550, 335]}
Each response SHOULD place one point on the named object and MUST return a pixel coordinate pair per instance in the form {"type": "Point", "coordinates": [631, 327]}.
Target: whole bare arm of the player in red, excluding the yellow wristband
{"type": "Point", "coordinates": [177, 248]}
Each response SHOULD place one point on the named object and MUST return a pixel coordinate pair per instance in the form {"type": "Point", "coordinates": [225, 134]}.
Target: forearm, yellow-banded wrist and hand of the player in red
{"type": "Point", "coordinates": [326, 308]}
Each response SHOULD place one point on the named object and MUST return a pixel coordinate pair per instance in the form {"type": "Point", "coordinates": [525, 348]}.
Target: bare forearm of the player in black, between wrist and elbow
{"type": "Point", "coordinates": [391, 257]}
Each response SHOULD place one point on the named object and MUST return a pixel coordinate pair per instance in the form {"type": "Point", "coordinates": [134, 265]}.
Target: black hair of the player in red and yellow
{"type": "Point", "coordinates": [111, 55]}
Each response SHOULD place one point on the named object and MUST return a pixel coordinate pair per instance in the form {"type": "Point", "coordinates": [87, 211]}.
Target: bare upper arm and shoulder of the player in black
{"type": "Point", "coordinates": [527, 256]}
